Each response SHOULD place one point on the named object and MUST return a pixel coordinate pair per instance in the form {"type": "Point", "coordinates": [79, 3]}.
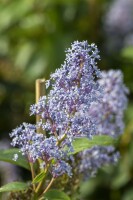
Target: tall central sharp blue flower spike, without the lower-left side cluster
{"type": "Point", "coordinates": [73, 88]}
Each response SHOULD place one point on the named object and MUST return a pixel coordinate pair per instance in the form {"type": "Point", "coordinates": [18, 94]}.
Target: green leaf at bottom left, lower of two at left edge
{"type": "Point", "coordinates": [14, 186]}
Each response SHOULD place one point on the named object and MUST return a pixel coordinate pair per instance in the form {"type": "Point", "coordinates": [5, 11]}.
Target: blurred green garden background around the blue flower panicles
{"type": "Point", "coordinates": [33, 37]}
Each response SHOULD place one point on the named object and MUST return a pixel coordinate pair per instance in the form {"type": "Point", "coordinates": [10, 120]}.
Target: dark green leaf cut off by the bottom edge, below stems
{"type": "Point", "coordinates": [56, 195]}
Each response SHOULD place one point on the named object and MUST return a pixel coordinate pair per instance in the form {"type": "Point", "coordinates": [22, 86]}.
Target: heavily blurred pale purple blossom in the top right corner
{"type": "Point", "coordinates": [118, 24]}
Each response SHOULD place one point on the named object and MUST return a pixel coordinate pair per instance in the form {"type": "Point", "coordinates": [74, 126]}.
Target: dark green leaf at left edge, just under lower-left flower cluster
{"type": "Point", "coordinates": [7, 156]}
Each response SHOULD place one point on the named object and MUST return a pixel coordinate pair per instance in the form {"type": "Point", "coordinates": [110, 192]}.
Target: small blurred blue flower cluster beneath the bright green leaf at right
{"type": "Point", "coordinates": [96, 157]}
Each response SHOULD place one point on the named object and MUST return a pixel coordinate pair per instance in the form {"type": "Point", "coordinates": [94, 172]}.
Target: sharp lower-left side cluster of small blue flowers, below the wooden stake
{"type": "Point", "coordinates": [36, 146]}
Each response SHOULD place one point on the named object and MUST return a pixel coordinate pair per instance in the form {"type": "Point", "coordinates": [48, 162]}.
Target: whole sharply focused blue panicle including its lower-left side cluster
{"type": "Point", "coordinates": [64, 111]}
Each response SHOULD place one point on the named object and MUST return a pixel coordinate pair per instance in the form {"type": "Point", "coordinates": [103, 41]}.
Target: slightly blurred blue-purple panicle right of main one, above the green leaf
{"type": "Point", "coordinates": [109, 113]}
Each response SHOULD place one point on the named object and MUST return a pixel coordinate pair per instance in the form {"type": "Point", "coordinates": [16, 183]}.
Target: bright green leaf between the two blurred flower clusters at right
{"type": "Point", "coordinates": [81, 144]}
